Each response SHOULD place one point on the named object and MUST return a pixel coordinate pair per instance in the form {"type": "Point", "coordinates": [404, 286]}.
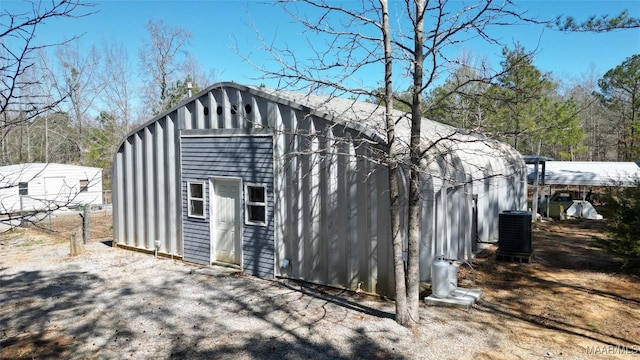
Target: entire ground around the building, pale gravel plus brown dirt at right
{"type": "Point", "coordinates": [570, 302]}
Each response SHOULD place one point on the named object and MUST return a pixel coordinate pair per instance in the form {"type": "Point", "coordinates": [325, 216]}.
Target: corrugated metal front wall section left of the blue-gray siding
{"type": "Point", "coordinates": [146, 187]}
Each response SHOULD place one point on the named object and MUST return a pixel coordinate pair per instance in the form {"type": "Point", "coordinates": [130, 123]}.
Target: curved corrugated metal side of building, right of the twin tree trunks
{"type": "Point", "coordinates": [492, 171]}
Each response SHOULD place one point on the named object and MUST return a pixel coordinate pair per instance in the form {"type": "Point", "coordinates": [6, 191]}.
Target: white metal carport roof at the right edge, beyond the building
{"type": "Point", "coordinates": [589, 173]}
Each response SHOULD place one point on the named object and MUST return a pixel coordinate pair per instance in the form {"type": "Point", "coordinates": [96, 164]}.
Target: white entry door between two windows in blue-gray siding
{"type": "Point", "coordinates": [226, 220]}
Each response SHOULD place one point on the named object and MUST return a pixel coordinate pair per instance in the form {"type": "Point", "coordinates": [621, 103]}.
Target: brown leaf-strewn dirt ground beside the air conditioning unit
{"type": "Point", "coordinates": [572, 293]}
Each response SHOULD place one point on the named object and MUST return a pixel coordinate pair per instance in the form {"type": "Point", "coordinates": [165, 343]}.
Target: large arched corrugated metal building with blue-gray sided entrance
{"type": "Point", "coordinates": [290, 184]}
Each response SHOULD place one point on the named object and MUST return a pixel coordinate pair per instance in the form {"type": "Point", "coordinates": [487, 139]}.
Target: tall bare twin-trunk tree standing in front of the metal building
{"type": "Point", "coordinates": [409, 37]}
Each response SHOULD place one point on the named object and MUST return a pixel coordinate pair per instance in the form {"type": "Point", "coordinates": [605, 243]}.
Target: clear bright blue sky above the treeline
{"type": "Point", "coordinates": [218, 25]}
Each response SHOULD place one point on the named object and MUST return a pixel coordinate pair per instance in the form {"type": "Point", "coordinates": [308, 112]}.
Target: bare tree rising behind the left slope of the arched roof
{"type": "Point", "coordinates": [160, 61]}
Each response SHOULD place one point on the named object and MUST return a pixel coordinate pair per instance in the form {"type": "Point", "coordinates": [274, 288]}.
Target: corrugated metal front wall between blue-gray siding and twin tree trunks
{"type": "Point", "coordinates": [331, 204]}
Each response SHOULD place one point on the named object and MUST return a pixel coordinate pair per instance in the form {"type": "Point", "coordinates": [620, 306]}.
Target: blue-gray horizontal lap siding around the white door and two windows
{"type": "Point", "coordinates": [247, 157]}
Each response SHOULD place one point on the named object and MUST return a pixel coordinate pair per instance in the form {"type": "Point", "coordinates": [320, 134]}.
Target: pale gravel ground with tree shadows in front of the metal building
{"type": "Point", "coordinates": [114, 303]}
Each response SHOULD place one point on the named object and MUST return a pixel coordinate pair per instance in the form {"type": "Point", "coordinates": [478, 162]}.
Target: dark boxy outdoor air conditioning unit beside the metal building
{"type": "Point", "coordinates": [514, 232]}
